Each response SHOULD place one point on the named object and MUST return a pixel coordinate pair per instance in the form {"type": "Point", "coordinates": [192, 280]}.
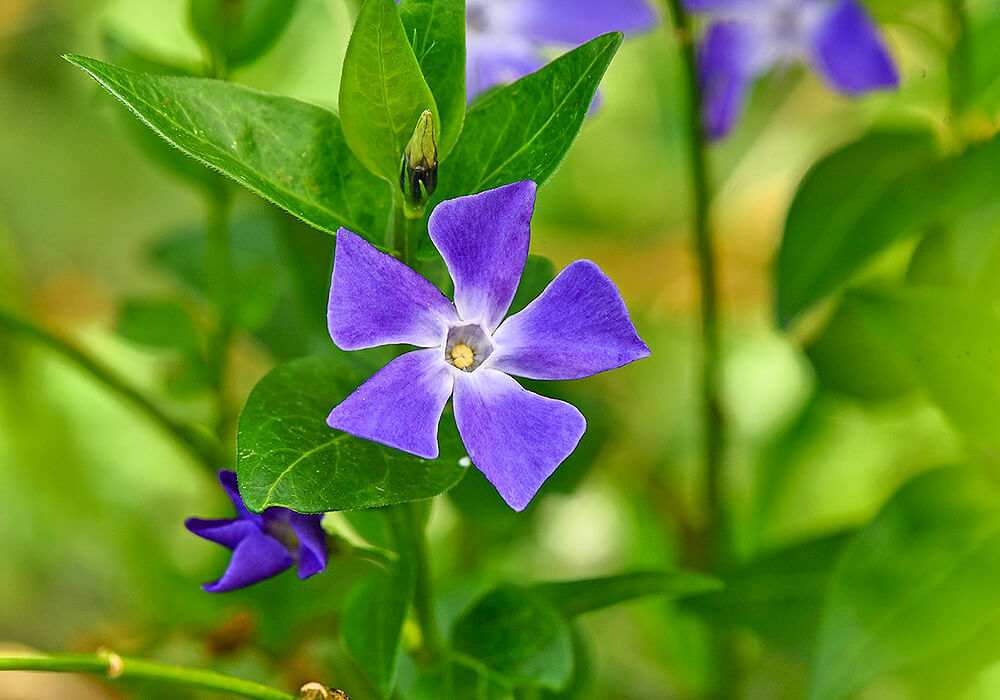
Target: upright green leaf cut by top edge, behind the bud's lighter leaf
{"type": "Point", "coordinates": [436, 29]}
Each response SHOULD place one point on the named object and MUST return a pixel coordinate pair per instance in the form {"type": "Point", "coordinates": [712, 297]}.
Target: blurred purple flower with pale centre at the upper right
{"type": "Point", "coordinates": [752, 36]}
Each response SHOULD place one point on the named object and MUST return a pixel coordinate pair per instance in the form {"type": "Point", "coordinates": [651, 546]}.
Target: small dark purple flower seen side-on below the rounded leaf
{"type": "Point", "coordinates": [263, 545]}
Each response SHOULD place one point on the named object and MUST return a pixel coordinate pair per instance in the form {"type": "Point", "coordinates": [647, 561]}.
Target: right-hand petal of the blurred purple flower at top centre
{"type": "Point", "coordinates": [575, 22]}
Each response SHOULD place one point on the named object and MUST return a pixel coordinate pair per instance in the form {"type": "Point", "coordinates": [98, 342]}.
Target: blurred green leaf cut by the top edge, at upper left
{"type": "Point", "coordinates": [240, 31]}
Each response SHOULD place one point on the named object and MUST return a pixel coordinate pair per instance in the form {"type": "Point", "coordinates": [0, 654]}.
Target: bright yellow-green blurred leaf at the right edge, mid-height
{"type": "Point", "coordinates": [951, 342]}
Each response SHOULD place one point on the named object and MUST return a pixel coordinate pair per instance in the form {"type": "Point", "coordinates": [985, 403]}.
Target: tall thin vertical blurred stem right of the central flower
{"type": "Point", "coordinates": [714, 418]}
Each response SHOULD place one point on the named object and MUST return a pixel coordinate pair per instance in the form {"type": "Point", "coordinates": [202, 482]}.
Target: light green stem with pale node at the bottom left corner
{"type": "Point", "coordinates": [113, 666]}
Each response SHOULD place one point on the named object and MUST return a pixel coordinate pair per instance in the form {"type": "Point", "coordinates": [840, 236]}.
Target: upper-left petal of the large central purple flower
{"type": "Point", "coordinates": [377, 300]}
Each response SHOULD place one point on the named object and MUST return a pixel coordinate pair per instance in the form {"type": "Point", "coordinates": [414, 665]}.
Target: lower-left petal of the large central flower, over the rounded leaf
{"type": "Point", "coordinates": [401, 405]}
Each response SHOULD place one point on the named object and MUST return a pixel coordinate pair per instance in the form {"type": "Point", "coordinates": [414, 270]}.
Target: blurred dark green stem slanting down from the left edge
{"type": "Point", "coordinates": [199, 446]}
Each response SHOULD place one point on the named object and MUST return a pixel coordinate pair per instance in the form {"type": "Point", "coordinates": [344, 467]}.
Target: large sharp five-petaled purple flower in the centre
{"type": "Point", "coordinates": [577, 327]}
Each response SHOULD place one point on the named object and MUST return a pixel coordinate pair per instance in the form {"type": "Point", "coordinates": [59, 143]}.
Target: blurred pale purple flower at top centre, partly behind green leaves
{"type": "Point", "coordinates": [507, 39]}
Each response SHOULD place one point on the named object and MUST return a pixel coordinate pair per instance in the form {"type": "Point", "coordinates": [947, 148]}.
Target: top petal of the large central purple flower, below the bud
{"type": "Point", "coordinates": [483, 239]}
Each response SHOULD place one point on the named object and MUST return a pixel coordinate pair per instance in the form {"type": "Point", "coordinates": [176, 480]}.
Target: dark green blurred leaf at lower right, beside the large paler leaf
{"type": "Point", "coordinates": [779, 596]}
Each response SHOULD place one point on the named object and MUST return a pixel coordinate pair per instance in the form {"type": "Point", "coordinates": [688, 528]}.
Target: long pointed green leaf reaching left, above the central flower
{"type": "Point", "coordinates": [289, 152]}
